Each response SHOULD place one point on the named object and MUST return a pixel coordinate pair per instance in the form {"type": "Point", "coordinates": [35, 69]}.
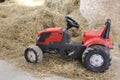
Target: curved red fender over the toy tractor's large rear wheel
{"type": "Point", "coordinates": [98, 41]}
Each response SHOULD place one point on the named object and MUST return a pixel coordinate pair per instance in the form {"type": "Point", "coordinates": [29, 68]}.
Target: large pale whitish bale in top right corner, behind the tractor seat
{"type": "Point", "coordinates": [94, 10]}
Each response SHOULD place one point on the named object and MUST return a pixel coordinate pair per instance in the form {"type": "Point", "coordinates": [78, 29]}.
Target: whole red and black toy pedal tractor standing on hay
{"type": "Point", "coordinates": [93, 50]}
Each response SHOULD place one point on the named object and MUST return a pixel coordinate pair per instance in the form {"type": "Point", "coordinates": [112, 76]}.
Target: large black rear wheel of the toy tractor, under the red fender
{"type": "Point", "coordinates": [88, 63]}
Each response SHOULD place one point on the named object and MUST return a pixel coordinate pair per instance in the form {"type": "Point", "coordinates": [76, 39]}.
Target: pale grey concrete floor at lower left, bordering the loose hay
{"type": "Point", "coordinates": [10, 72]}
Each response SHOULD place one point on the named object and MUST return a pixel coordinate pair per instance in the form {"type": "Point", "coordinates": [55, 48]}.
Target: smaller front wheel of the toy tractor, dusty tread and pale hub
{"type": "Point", "coordinates": [36, 54]}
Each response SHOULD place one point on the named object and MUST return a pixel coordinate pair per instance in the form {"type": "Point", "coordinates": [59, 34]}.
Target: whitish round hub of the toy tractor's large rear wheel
{"type": "Point", "coordinates": [96, 60]}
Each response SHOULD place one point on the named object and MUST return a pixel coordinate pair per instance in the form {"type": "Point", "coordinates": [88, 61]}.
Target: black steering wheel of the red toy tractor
{"type": "Point", "coordinates": [71, 23]}
